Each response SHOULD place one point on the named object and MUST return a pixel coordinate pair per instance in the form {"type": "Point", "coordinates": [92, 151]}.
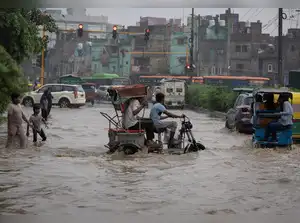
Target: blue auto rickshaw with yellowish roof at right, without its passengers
{"type": "Point", "coordinates": [262, 116]}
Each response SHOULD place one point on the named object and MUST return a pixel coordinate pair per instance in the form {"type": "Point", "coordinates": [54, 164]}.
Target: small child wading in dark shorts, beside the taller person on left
{"type": "Point", "coordinates": [35, 120]}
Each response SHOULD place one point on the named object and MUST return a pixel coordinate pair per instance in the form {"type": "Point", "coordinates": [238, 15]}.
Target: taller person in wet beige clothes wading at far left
{"type": "Point", "coordinates": [15, 118]}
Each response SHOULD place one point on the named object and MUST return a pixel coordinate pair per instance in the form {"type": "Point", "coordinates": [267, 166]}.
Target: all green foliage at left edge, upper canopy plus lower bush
{"type": "Point", "coordinates": [20, 38]}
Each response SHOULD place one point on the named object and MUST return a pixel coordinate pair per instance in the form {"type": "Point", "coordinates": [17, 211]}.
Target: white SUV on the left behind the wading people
{"type": "Point", "coordinates": [64, 95]}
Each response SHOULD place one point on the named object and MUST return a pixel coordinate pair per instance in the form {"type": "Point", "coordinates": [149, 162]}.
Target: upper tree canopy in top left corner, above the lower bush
{"type": "Point", "coordinates": [20, 31]}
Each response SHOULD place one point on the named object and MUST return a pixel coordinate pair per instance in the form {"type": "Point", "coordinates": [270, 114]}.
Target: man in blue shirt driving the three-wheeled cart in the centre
{"type": "Point", "coordinates": [155, 114]}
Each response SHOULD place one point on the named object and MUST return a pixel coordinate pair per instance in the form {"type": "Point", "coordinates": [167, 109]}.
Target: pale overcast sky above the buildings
{"type": "Point", "coordinates": [129, 16]}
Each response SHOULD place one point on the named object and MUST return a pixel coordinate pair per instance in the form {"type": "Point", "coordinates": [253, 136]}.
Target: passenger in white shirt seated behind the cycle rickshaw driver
{"type": "Point", "coordinates": [132, 122]}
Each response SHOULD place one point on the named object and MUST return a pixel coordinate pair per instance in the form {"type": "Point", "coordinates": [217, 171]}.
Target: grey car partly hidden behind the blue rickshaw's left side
{"type": "Point", "coordinates": [239, 117]}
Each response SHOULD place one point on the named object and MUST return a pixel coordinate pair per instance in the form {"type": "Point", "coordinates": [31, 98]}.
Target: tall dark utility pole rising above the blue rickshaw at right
{"type": "Point", "coordinates": [280, 75]}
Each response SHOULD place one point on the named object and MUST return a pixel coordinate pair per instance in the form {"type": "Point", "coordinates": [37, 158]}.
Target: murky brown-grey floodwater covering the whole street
{"type": "Point", "coordinates": [72, 173]}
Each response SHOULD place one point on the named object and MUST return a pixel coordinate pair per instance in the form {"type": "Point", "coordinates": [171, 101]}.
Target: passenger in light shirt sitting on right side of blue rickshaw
{"type": "Point", "coordinates": [285, 121]}
